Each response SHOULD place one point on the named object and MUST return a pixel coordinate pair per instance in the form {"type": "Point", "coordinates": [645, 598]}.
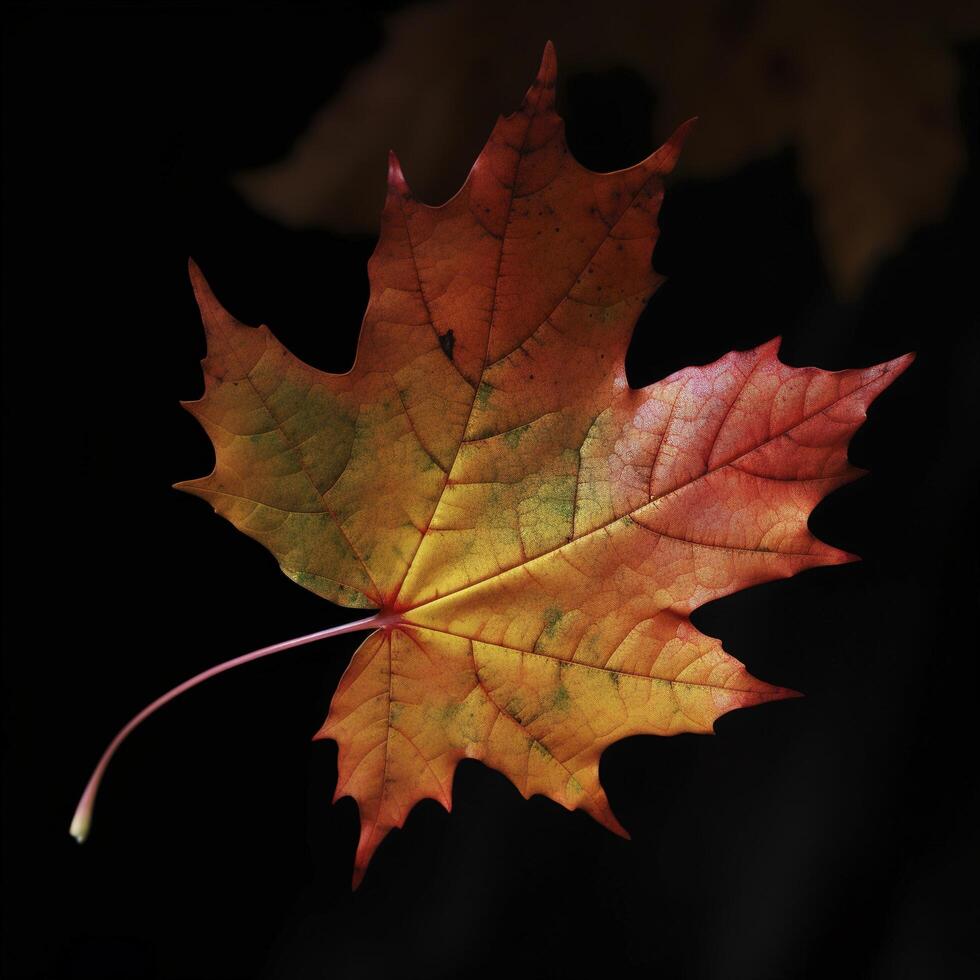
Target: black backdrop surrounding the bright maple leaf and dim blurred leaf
{"type": "Point", "coordinates": [829, 836]}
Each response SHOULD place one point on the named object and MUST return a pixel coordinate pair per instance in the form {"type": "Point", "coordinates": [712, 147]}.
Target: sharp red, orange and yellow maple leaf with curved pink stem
{"type": "Point", "coordinates": [533, 532]}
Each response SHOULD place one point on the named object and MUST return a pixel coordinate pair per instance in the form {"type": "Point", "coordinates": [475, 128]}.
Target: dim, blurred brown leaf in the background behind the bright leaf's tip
{"type": "Point", "coordinates": [864, 93]}
